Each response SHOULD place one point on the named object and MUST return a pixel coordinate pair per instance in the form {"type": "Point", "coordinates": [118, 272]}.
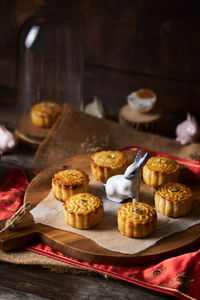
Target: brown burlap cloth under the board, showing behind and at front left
{"type": "Point", "coordinates": [76, 133]}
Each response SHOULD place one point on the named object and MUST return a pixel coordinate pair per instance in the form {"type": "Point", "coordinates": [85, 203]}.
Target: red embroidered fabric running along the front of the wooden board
{"type": "Point", "coordinates": [177, 276]}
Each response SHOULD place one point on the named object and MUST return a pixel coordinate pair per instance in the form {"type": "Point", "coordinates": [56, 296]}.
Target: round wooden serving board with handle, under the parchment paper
{"type": "Point", "coordinates": [78, 246]}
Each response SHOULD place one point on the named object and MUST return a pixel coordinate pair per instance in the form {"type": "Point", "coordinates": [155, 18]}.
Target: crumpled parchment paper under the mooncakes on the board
{"type": "Point", "coordinates": [50, 212]}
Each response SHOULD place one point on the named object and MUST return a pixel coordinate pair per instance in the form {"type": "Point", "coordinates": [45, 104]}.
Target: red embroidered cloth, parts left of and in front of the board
{"type": "Point", "coordinates": [177, 276]}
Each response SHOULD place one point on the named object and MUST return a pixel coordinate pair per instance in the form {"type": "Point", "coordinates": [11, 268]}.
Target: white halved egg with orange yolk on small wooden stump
{"type": "Point", "coordinates": [142, 100]}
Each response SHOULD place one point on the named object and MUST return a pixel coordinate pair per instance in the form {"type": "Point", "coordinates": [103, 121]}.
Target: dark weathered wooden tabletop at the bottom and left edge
{"type": "Point", "coordinates": [37, 282]}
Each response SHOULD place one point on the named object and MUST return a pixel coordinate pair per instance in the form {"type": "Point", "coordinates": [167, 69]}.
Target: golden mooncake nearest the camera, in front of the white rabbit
{"type": "Point", "coordinates": [136, 219]}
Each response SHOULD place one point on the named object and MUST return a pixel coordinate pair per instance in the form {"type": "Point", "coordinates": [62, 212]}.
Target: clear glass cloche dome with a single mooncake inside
{"type": "Point", "coordinates": [49, 73]}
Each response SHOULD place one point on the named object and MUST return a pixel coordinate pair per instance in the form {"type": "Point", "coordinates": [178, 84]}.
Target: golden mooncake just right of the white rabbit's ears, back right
{"type": "Point", "coordinates": [159, 170]}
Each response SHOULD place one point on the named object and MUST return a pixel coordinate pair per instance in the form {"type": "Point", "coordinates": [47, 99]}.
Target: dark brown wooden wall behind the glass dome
{"type": "Point", "coordinates": [129, 44]}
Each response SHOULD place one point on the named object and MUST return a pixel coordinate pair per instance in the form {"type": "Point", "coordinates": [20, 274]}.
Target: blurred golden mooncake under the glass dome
{"type": "Point", "coordinates": [44, 114]}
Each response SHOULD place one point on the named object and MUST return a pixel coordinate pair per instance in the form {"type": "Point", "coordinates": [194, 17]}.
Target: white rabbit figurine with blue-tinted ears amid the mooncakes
{"type": "Point", "coordinates": [121, 187]}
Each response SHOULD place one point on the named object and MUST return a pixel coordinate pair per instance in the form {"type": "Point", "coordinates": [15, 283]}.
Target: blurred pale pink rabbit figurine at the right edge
{"type": "Point", "coordinates": [187, 131]}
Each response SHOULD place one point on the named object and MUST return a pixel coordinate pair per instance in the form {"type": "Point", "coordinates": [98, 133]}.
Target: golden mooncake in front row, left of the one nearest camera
{"type": "Point", "coordinates": [83, 210]}
